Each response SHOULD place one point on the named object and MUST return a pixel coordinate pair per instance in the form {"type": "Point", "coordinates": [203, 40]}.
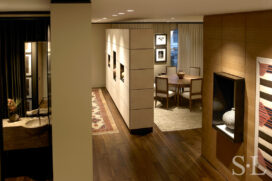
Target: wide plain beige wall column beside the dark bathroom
{"type": "Point", "coordinates": [71, 91]}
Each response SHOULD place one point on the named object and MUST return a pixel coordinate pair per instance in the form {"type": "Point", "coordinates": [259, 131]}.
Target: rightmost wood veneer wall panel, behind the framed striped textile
{"type": "Point", "coordinates": [259, 44]}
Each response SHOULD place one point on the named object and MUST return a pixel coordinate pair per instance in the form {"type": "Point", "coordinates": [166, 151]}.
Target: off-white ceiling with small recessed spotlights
{"type": "Point", "coordinates": [149, 10]}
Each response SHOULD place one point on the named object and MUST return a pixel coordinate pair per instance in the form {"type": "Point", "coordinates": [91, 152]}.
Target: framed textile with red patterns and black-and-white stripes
{"type": "Point", "coordinates": [263, 116]}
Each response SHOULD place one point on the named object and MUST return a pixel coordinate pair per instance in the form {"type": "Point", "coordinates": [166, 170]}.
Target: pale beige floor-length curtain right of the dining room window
{"type": "Point", "coordinates": [190, 47]}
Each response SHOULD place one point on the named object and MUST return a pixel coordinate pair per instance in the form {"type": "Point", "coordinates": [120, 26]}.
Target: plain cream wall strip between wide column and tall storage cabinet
{"type": "Point", "coordinates": [98, 55]}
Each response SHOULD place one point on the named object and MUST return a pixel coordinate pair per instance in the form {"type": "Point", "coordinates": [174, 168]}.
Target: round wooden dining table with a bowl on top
{"type": "Point", "coordinates": [179, 83]}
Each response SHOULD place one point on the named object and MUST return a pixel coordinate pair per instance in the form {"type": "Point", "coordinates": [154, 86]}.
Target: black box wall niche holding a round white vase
{"type": "Point", "coordinates": [228, 105]}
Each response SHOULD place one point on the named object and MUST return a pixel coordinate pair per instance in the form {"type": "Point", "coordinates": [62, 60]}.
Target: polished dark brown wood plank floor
{"type": "Point", "coordinates": [158, 156]}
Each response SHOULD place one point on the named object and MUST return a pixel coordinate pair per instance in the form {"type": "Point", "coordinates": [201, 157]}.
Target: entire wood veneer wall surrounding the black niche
{"type": "Point", "coordinates": [244, 37]}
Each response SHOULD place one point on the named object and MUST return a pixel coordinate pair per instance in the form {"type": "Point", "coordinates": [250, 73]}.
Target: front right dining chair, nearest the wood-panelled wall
{"type": "Point", "coordinates": [195, 92]}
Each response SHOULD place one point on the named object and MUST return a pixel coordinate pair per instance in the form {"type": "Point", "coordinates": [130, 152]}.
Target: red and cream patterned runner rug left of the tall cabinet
{"type": "Point", "coordinates": [102, 120]}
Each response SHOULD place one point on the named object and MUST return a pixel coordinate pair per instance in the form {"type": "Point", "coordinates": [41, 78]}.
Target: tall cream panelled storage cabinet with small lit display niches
{"type": "Point", "coordinates": [129, 75]}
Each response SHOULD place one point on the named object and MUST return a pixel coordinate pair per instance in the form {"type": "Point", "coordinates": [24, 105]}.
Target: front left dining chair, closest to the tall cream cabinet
{"type": "Point", "coordinates": [162, 90]}
